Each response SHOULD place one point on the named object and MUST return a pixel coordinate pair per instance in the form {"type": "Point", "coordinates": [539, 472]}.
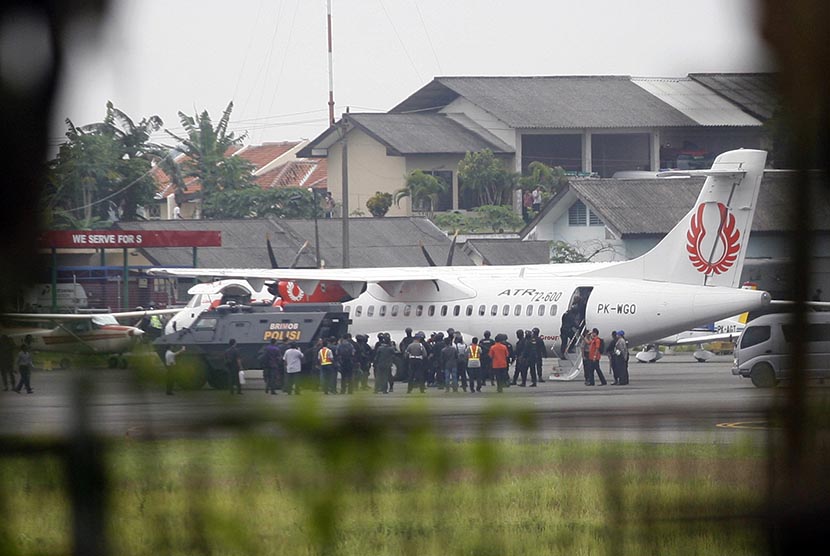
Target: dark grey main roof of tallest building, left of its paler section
{"type": "Point", "coordinates": [553, 102]}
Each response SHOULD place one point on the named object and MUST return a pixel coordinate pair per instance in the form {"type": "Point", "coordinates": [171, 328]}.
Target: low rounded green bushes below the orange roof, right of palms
{"type": "Point", "coordinates": [253, 202]}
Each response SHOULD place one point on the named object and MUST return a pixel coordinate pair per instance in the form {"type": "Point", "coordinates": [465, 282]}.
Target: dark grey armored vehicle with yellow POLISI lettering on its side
{"type": "Point", "coordinates": [252, 326]}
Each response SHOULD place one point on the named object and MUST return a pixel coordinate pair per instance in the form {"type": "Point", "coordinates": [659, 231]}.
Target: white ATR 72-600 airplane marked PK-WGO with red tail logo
{"type": "Point", "coordinates": [691, 276]}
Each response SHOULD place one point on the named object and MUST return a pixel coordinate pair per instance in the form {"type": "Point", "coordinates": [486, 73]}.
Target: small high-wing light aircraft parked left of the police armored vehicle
{"type": "Point", "coordinates": [70, 333]}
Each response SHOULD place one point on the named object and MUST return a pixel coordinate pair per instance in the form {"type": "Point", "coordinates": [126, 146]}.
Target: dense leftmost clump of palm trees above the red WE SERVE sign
{"type": "Point", "coordinates": [101, 166]}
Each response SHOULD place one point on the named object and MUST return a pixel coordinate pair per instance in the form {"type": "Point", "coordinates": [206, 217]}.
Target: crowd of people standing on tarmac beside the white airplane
{"type": "Point", "coordinates": [444, 361]}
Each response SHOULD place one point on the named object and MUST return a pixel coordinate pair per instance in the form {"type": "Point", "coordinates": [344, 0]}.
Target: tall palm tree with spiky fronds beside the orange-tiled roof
{"type": "Point", "coordinates": [207, 159]}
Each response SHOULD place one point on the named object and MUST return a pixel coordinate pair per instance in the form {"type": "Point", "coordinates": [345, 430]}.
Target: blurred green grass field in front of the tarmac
{"type": "Point", "coordinates": [356, 489]}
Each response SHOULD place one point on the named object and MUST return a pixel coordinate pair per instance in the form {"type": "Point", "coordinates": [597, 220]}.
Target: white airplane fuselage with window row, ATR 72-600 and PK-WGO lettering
{"type": "Point", "coordinates": [645, 310]}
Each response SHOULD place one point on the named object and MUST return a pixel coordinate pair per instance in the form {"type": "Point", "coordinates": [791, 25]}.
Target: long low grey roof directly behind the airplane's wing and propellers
{"type": "Point", "coordinates": [374, 242]}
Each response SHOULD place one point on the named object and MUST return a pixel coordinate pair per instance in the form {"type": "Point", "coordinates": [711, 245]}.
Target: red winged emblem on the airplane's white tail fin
{"type": "Point", "coordinates": [728, 241]}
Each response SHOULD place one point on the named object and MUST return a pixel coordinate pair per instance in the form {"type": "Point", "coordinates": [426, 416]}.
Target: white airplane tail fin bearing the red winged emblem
{"type": "Point", "coordinates": [707, 246]}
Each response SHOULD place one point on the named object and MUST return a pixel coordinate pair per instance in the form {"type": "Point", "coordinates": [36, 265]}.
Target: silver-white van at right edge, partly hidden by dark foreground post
{"type": "Point", "coordinates": [762, 352]}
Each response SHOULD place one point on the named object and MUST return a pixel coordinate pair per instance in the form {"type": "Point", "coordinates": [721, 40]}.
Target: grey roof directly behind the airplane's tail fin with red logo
{"type": "Point", "coordinates": [654, 206]}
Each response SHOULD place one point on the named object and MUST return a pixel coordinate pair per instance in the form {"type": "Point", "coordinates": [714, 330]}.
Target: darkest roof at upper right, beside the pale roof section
{"type": "Point", "coordinates": [754, 92]}
